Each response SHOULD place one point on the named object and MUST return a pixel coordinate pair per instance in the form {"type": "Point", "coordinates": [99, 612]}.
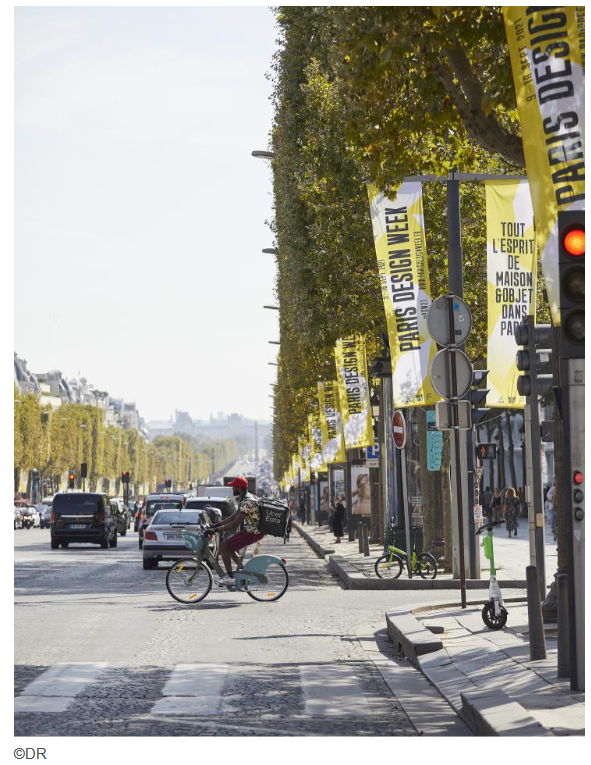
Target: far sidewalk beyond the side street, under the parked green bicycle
{"type": "Point", "coordinates": [357, 571]}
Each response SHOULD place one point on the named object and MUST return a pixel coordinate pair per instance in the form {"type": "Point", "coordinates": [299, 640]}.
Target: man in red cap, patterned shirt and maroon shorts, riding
{"type": "Point", "coordinates": [249, 514]}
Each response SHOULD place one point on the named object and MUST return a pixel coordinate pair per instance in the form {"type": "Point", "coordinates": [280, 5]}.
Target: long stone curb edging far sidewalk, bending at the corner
{"type": "Point", "coordinates": [353, 580]}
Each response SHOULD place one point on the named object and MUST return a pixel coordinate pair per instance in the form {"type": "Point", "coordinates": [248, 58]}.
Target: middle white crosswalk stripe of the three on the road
{"type": "Point", "coordinates": [193, 689]}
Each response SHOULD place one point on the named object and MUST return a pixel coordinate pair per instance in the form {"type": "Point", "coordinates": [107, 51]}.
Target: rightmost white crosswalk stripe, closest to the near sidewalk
{"type": "Point", "coordinates": [331, 690]}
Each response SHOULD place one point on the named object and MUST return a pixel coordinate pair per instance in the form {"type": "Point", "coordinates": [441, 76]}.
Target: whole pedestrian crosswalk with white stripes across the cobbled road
{"type": "Point", "coordinates": [209, 689]}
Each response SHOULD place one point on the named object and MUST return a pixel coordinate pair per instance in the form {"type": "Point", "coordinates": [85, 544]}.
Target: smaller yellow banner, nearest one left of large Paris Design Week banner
{"type": "Point", "coordinates": [351, 363]}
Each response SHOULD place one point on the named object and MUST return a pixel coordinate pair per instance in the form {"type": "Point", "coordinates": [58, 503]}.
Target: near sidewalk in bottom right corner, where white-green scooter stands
{"type": "Point", "coordinates": [486, 675]}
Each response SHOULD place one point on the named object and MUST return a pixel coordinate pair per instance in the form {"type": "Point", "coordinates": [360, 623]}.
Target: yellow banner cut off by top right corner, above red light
{"type": "Point", "coordinates": [547, 47]}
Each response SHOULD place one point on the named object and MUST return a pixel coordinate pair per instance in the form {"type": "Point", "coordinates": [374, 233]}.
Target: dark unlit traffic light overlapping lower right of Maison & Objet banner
{"type": "Point", "coordinates": [531, 360]}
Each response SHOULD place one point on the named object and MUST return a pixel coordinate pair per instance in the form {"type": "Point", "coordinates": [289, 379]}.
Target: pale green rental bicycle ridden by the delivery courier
{"type": "Point", "coordinates": [189, 581]}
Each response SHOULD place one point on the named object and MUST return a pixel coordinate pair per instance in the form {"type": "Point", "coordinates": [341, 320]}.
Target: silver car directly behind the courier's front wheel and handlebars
{"type": "Point", "coordinates": [164, 537]}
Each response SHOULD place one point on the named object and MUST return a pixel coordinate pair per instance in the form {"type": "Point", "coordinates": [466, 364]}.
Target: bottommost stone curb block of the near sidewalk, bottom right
{"type": "Point", "coordinates": [493, 713]}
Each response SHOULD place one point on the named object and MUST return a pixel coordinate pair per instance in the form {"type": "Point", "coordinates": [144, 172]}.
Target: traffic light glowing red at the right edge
{"type": "Point", "coordinates": [571, 275]}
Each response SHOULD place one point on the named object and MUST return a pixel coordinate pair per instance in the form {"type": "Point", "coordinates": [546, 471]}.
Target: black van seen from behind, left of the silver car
{"type": "Point", "coordinates": [82, 517]}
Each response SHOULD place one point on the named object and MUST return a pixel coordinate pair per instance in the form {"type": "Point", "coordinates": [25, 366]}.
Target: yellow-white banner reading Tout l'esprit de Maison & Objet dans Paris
{"type": "Point", "coordinates": [511, 283]}
